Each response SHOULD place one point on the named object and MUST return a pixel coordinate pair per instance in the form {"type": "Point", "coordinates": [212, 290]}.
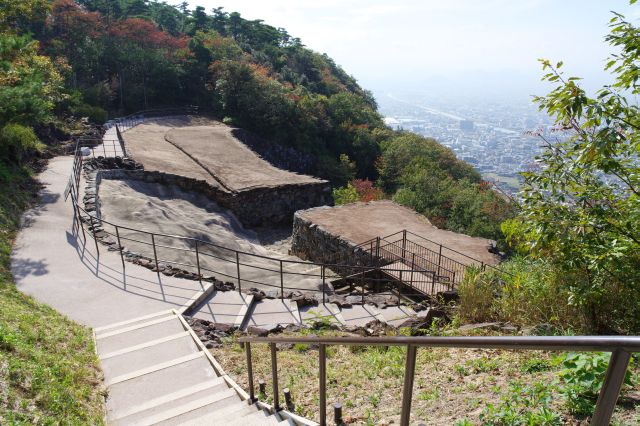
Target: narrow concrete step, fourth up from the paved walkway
{"type": "Point", "coordinates": [173, 401]}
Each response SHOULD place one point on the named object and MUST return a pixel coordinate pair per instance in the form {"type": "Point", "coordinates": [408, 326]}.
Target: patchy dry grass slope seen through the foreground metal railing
{"type": "Point", "coordinates": [451, 384]}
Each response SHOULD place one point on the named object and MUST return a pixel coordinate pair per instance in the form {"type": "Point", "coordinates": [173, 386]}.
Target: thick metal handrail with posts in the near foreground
{"type": "Point", "coordinates": [621, 349]}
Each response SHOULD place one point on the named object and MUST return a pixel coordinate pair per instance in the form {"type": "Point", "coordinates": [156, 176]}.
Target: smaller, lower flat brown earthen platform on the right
{"type": "Point", "coordinates": [358, 222]}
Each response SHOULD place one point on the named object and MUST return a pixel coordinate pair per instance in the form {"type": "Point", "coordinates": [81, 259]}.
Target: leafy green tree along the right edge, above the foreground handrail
{"type": "Point", "coordinates": [581, 209]}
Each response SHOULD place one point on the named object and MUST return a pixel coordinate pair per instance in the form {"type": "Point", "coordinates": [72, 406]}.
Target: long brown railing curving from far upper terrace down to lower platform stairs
{"type": "Point", "coordinates": [274, 272]}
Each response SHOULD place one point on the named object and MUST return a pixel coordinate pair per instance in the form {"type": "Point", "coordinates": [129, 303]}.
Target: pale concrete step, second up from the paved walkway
{"type": "Point", "coordinates": [148, 356]}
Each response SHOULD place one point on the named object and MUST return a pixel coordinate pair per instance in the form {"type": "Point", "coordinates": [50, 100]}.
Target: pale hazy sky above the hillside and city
{"type": "Point", "coordinates": [446, 45]}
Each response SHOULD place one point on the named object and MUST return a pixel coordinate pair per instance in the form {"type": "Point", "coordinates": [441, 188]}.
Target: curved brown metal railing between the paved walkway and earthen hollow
{"type": "Point", "coordinates": [208, 260]}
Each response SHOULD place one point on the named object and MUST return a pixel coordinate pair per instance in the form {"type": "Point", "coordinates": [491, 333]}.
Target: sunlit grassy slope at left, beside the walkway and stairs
{"type": "Point", "coordinates": [48, 369]}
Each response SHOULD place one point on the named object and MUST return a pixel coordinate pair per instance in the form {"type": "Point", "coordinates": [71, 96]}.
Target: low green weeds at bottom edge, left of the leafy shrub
{"type": "Point", "coordinates": [523, 405]}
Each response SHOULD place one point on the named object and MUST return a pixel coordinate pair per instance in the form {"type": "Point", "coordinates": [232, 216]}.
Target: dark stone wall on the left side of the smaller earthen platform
{"type": "Point", "coordinates": [312, 242]}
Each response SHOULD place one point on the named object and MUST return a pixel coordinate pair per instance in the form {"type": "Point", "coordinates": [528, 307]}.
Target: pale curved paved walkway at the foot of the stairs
{"type": "Point", "coordinates": [54, 266]}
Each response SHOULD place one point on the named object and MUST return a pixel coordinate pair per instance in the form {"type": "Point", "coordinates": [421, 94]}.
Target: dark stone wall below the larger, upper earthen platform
{"type": "Point", "coordinates": [262, 206]}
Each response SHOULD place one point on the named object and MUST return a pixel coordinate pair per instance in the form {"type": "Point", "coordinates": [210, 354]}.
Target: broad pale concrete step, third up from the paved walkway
{"type": "Point", "coordinates": [157, 384]}
